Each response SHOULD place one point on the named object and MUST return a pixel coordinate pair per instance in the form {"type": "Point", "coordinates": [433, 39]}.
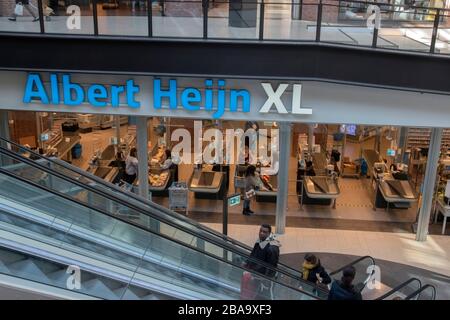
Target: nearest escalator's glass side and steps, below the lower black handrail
{"type": "Point", "coordinates": [42, 232]}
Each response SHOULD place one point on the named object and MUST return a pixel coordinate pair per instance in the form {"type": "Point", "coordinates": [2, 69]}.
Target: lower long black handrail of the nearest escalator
{"type": "Point", "coordinates": [134, 224]}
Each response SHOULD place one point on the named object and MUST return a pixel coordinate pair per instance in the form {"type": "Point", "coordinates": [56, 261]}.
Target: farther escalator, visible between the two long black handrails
{"type": "Point", "coordinates": [82, 186]}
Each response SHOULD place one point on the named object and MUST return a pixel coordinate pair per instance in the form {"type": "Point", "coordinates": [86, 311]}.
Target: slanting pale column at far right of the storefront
{"type": "Point", "coordinates": [429, 184]}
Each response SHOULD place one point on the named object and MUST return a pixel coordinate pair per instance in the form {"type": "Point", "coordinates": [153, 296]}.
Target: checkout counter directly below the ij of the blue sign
{"type": "Point", "coordinates": [210, 181]}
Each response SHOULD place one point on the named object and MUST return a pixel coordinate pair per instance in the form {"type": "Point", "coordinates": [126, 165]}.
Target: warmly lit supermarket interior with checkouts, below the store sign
{"type": "Point", "coordinates": [354, 177]}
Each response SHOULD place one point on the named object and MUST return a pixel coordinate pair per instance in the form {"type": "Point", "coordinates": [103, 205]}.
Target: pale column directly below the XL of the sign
{"type": "Point", "coordinates": [283, 176]}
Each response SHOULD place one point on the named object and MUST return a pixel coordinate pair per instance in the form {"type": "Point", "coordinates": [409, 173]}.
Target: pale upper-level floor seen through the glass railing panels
{"type": "Point", "coordinates": [277, 26]}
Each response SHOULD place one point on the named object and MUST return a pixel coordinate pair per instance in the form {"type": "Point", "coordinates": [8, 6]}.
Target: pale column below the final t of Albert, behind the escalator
{"type": "Point", "coordinates": [141, 131]}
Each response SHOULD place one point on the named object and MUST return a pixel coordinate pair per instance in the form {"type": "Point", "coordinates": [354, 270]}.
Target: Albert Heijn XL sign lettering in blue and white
{"type": "Point", "coordinates": [213, 96]}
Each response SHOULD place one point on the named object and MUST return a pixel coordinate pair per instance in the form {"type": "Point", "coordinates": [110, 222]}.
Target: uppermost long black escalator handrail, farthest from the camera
{"type": "Point", "coordinates": [135, 197]}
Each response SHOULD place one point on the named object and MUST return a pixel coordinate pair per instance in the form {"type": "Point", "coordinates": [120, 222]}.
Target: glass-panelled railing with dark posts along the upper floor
{"type": "Point", "coordinates": [425, 28]}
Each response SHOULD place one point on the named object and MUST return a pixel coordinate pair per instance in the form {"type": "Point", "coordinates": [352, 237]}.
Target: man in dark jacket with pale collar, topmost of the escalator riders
{"type": "Point", "coordinates": [265, 249]}
